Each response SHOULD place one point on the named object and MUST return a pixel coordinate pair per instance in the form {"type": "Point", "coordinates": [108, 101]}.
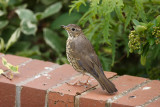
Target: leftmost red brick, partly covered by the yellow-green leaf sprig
{"type": "Point", "coordinates": [8, 88]}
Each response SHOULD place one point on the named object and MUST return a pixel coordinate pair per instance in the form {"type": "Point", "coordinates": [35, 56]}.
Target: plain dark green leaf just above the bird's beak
{"type": "Point", "coordinates": [69, 18]}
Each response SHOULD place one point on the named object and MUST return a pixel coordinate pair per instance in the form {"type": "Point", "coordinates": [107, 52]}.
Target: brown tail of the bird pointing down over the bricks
{"type": "Point", "coordinates": [107, 85]}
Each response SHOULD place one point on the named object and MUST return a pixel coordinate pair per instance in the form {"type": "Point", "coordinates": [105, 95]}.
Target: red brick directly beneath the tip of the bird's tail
{"type": "Point", "coordinates": [98, 97]}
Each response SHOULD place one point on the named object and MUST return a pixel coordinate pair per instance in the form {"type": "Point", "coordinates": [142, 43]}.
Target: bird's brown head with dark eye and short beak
{"type": "Point", "coordinates": [72, 30]}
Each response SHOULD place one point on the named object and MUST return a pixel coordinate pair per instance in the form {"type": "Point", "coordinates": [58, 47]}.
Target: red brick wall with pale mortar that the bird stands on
{"type": "Point", "coordinates": [43, 84]}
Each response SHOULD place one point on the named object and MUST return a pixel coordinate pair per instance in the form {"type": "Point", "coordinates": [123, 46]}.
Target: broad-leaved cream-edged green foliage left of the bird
{"type": "Point", "coordinates": [32, 29]}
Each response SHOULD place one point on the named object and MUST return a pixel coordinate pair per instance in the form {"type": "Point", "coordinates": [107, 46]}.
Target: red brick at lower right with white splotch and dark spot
{"type": "Point", "coordinates": [140, 96]}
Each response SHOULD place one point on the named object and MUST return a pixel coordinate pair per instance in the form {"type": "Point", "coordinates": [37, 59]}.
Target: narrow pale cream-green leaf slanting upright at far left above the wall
{"type": "Point", "coordinates": [14, 37]}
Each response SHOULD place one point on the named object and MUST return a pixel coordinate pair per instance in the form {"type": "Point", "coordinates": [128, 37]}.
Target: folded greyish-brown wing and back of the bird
{"type": "Point", "coordinates": [86, 57]}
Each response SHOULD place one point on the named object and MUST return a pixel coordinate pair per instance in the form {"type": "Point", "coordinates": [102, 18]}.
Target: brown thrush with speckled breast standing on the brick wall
{"type": "Point", "coordinates": [81, 55]}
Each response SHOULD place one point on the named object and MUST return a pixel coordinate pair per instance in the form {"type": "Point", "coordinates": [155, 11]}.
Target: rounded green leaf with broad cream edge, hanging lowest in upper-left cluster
{"type": "Point", "coordinates": [28, 27]}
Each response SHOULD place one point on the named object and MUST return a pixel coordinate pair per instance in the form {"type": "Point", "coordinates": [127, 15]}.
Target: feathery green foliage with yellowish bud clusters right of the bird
{"type": "Point", "coordinates": [123, 27]}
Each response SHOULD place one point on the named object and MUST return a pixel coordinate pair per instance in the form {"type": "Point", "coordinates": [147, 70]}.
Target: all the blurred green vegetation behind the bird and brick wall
{"type": "Point", "coordinates": [124, 33]}
